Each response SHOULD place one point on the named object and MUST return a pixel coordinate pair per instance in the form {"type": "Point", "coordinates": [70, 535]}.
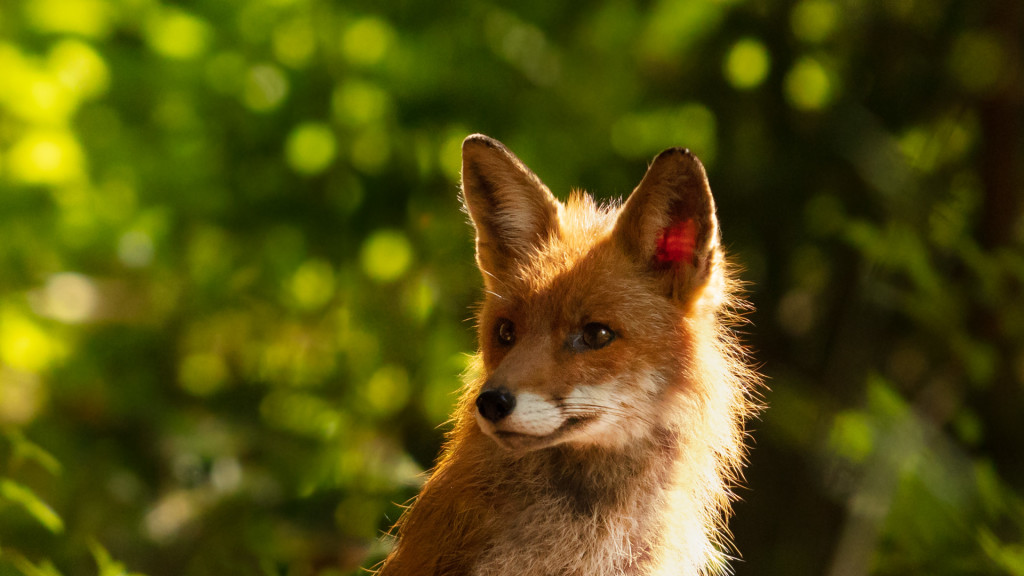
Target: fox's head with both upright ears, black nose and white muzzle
{"type": "Point", "coordinates": [591, 326]}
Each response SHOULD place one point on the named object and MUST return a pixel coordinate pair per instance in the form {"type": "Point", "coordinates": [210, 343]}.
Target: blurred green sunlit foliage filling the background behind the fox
{"type": "Point", "coordinates": [235, 278]}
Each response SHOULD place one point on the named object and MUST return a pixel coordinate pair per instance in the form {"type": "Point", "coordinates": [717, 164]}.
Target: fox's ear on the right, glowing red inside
{"type": "Point", "coordinates": [669, 223]}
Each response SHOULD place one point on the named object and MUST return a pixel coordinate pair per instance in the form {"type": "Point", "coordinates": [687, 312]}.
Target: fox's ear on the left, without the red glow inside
{"type": "Point", "coordinates": [513, 211]}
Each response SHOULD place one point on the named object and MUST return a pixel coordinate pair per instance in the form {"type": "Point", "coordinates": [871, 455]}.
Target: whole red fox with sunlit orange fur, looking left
{"type": "Point", "coordinates": [605, 431]}
